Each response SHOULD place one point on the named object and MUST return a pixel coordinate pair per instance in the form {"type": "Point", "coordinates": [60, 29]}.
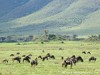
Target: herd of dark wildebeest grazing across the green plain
{"type": "Point", "coordinates": [66, 61]}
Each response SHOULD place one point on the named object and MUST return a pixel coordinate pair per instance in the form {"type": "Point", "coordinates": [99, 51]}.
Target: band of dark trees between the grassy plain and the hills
{"type": "Point", "coordinates": [47, 37]}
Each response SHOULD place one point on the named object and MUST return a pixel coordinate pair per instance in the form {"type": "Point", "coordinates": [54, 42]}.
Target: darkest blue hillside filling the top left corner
{"type": "Point", "coordinates": [6, 6]}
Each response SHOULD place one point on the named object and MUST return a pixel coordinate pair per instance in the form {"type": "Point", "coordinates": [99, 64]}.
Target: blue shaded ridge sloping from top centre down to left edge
{"type": "Point", "coordinates": [24, 9]}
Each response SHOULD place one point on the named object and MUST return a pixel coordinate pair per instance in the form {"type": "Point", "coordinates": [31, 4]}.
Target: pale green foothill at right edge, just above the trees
{"type": "Point", "coordinates": [90, 26]}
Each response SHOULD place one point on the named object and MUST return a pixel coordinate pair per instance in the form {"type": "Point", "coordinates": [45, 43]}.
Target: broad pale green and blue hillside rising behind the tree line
{"type": "Point", "coordinates": [58, 16]}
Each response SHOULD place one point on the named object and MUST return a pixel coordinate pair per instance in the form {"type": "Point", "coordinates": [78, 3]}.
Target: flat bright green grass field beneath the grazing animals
{"type": "Point", "coordinates": [50, 67]}
